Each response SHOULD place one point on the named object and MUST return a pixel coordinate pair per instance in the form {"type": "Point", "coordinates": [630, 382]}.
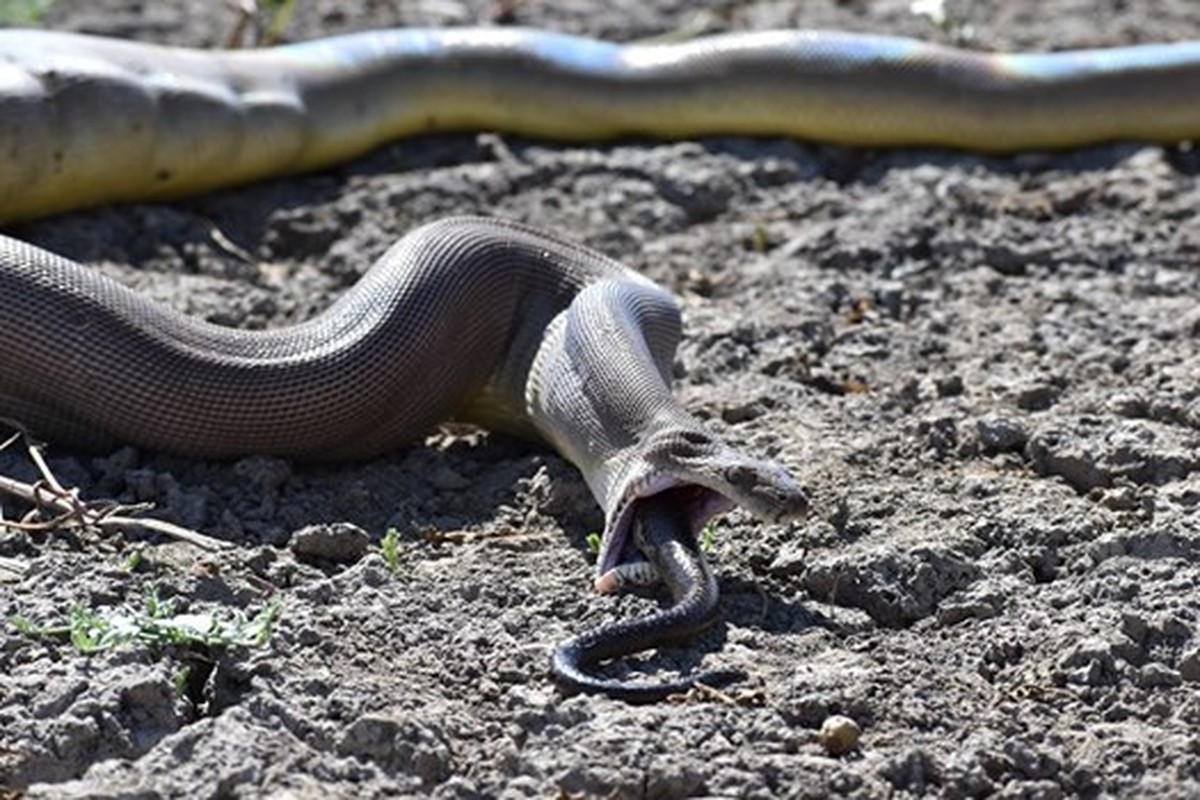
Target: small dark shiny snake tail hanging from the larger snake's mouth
{"type": "Point", "coordinates": [662, 532]}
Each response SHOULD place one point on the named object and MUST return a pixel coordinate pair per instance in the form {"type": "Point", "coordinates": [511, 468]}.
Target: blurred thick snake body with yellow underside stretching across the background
{"type": "Point", "coordinates": [88, 121]}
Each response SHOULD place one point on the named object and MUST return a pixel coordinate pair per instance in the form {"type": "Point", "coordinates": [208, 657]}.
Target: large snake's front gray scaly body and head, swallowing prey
{"type": "Point", "coordinates": [473, 320]}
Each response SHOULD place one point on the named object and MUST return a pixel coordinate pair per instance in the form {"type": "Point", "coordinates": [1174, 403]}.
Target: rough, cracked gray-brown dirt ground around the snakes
{"type": "Point", "coordinates": [987, 370]}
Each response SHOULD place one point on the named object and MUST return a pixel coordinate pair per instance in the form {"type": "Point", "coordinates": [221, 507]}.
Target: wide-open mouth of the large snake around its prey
{"type": "Point", "coordinates": [617, 548]}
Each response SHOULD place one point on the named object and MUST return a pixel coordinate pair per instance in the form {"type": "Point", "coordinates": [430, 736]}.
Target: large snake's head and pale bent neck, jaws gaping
{"type": "Point", "coordinates": [599, 390]}
